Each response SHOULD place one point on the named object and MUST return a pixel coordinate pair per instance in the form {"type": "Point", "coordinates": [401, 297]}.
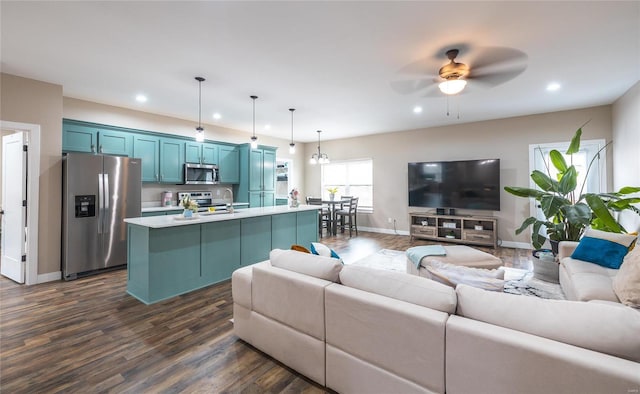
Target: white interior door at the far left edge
{"type": "Point", "coordinates": [14, 214]}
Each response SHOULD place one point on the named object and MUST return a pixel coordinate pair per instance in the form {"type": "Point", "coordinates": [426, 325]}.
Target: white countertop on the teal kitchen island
{"type": "Point", "coordinates": [204, 217]}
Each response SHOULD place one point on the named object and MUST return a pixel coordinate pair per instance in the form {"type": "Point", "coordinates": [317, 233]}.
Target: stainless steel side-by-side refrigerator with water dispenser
{"type": "Point", "coordinates": [98, 192]}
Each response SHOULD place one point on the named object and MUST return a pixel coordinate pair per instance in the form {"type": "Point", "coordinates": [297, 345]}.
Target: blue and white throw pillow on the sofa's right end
{"type": "Point", "coordinates": [603, 248]}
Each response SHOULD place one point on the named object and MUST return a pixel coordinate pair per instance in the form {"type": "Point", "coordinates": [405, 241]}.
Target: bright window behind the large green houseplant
{"type": "Point", "coordinates": [597, 181]}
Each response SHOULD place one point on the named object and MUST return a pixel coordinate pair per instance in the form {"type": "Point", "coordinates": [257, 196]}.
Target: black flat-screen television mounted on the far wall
{"type": "Point", "coordinates": [468, 184]}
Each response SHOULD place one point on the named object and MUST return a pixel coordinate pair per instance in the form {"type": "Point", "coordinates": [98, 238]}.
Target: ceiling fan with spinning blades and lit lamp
{"type": "Point", "coordinates": [488, 67]}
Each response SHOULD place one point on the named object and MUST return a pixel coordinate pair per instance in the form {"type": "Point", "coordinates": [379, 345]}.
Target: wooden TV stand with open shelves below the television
{"type": "Point", "coordinates": [472, 230]}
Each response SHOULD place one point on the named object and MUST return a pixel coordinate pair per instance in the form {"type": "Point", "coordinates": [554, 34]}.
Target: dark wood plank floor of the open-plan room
{"type": "Point", "coordinates": [89, 336]}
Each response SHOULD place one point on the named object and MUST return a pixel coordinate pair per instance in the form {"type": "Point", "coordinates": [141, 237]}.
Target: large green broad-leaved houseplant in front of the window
{"type": "Point", "coordinates": [568, 212]}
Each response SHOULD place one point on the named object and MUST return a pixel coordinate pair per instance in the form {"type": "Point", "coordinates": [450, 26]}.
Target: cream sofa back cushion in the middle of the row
{"type": "Point", "coordinates": [400, 286]}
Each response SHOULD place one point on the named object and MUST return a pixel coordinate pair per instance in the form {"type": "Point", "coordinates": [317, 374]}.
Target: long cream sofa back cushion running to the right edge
{"type": "Point", "coordinates": [602, 327]}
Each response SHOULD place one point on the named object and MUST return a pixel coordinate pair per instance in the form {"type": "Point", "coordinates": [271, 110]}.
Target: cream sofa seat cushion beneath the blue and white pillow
{"type": "Point", "coordinates": [590, 281]}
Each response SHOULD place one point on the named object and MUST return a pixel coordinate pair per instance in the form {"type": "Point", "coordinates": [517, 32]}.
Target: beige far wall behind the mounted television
{"type": "Point", "coordinates": [506, 139]}
